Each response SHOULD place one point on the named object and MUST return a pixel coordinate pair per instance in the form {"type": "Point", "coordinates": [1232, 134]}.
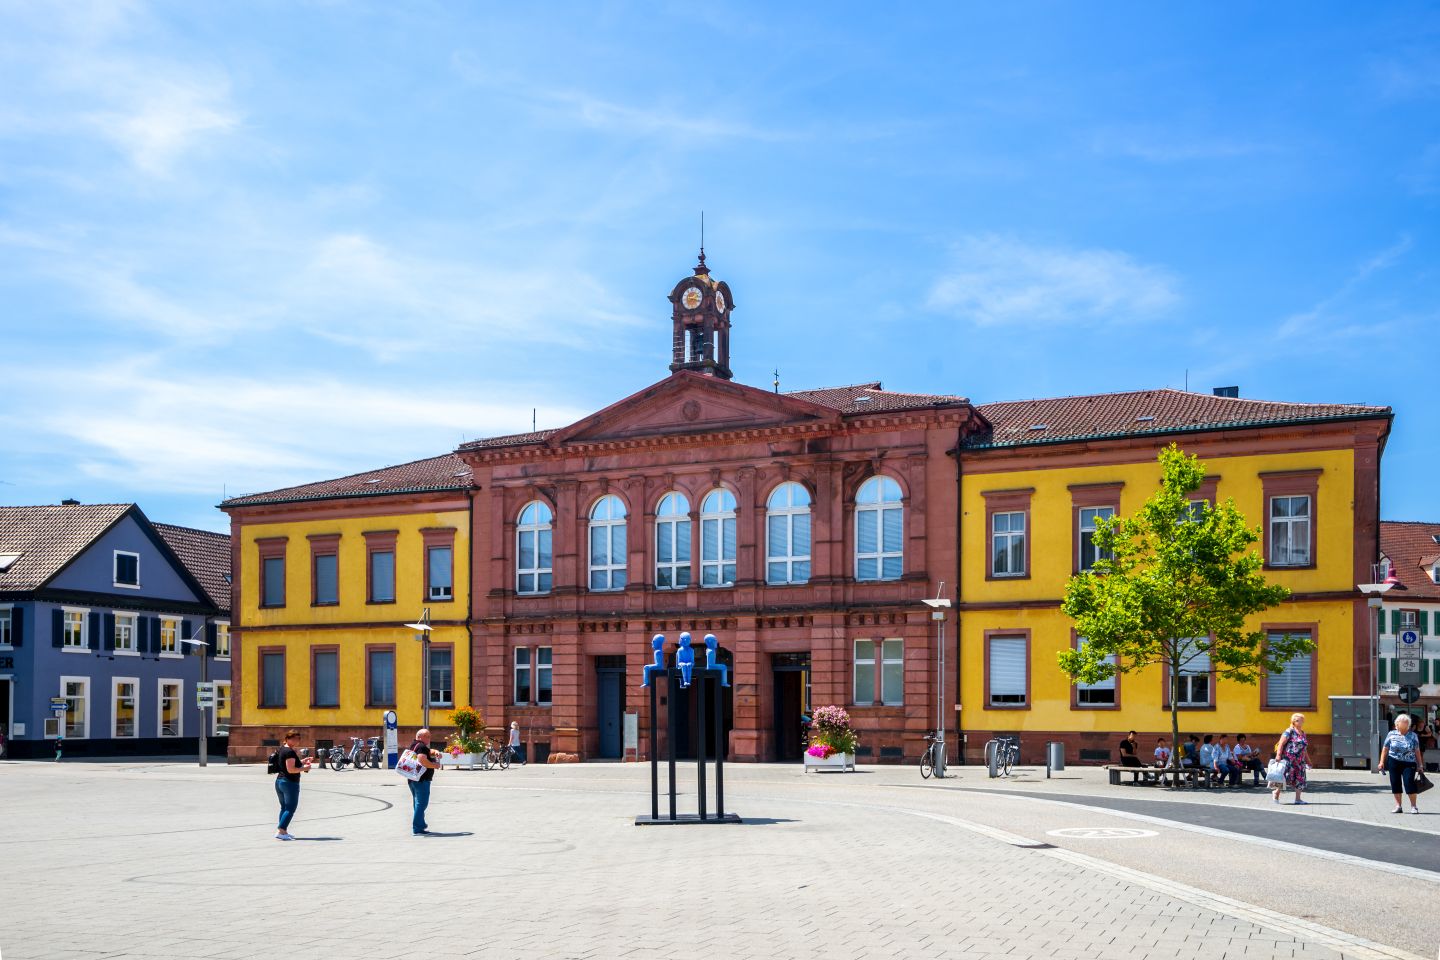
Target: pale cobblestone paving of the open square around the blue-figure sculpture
{"type": "Point", "coordinates": [172, 861]}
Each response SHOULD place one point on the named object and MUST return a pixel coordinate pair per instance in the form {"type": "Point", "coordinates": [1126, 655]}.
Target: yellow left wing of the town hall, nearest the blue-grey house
{"type": "Point", "coordinates": [328, 576]}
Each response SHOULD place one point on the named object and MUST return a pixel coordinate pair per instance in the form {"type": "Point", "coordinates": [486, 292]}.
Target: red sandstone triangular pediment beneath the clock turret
{"type": "Point", "coordinates": [692, 404]}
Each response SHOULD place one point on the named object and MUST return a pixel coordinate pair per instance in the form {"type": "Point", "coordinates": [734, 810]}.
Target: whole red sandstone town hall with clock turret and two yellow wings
{"type": "Point", "coordinates": [801, 529]}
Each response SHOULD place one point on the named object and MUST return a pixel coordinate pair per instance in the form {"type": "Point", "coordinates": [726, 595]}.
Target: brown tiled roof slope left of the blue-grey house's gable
{"type": "Point", "coordinates": [48, 538]}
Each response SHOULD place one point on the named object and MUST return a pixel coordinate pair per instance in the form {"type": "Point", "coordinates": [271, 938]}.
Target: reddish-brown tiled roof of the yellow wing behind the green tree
{"type": "Point", "coordinates": [1141, 412]}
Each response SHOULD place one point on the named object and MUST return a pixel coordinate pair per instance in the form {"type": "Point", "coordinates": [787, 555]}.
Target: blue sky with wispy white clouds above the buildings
{"type": "Point", "coordinates": [251, 245]}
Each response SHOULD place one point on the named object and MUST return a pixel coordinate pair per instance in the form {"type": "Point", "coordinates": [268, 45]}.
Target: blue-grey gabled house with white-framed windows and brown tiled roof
{"type": "Point", "coordinates": [97, 604]}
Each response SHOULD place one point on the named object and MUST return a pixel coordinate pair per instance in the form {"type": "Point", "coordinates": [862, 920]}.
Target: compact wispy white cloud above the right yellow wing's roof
{"type": "Point", "coordinates": [996, 280]}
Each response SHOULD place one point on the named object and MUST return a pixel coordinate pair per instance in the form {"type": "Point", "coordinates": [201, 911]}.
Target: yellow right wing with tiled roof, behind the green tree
{"type": "Point", "coordinates": [1032, 489]}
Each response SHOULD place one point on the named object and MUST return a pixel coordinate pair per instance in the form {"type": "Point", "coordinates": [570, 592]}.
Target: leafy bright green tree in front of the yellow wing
{"type": "Point", "coordinates": [1173, 584]}
